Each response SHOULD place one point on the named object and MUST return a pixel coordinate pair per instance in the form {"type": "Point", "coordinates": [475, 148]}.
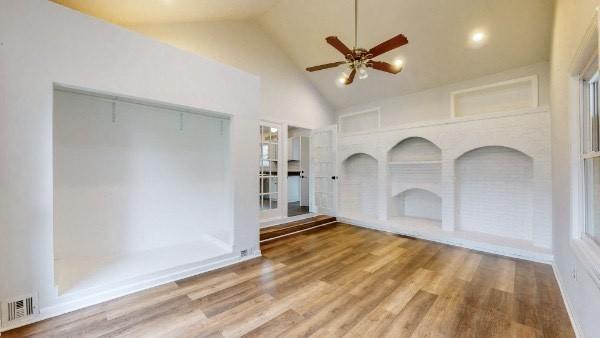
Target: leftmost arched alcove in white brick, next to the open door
{"type": "Point", "coordinates": [358, 185]}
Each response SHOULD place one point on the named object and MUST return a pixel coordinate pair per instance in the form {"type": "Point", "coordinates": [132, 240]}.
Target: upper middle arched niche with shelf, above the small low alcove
{"type": "Point", "coordinates": [414, 149]}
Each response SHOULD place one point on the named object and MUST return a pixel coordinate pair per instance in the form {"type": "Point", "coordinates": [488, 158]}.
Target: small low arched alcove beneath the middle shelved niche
{"type": "Point", "coordinates": [418, 203]}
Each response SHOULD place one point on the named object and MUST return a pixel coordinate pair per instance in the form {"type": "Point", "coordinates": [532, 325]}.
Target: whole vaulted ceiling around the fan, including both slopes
{"type": "Point", "coordinates": [439, 51]}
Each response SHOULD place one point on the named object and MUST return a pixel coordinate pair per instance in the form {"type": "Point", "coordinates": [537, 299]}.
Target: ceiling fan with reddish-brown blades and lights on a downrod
{"type": "Point", "coordinates": [359, 59]}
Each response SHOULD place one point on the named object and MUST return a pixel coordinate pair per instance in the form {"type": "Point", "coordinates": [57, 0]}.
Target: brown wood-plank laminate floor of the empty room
{"type": "Point", "coordinates": [338, 281]}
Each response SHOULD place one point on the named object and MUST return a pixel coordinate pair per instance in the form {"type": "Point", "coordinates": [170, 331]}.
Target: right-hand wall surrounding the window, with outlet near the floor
{"type": "Point", "coordinates": [572, 18]}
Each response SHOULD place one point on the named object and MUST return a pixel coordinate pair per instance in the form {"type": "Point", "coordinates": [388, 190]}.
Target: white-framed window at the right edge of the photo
{"type": "Point", "coordinates": [590, 151]}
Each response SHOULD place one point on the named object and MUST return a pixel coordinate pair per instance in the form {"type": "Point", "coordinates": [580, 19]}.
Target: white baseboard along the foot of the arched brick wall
{"type": "Point", "coordinates": [447, 238]}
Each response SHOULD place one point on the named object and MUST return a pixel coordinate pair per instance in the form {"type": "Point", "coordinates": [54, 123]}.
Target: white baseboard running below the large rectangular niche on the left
{"type": "Point", "coordinates": [172, 275]}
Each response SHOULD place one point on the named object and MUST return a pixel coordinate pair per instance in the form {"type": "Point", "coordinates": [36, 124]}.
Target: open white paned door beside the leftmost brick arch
{"type": "Point", "coordinates": [323, 172]}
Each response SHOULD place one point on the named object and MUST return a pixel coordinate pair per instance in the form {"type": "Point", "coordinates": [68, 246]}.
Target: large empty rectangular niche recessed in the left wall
{"type": "Point", "coordinates": [139, 189]}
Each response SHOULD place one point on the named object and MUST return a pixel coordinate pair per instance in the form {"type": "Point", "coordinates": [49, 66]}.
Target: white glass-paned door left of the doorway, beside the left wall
{"type": "Point", "coordinates": [269, 177]}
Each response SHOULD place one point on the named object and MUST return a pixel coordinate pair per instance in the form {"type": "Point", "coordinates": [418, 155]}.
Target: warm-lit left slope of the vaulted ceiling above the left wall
{"type": "Point", "coordinates": [134, 12]}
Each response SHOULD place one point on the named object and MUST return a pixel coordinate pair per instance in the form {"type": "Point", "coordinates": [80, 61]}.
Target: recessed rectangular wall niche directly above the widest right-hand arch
{"type": "Point", "coordinates": [498, 97]}
